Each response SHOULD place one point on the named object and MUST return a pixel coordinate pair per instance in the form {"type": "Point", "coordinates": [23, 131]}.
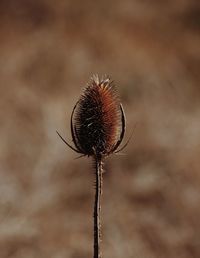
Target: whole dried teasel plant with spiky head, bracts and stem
{"type": "Point", "coordinates": [97, 128]}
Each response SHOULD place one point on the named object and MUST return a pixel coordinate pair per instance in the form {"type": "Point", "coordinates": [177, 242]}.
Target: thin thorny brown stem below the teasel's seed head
{"type": "Point", "coordinates": [97, 207]}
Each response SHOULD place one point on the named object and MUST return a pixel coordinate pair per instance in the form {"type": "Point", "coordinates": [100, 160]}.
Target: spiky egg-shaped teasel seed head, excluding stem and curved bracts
{"type": "Point", "coordinates": [97, 118]}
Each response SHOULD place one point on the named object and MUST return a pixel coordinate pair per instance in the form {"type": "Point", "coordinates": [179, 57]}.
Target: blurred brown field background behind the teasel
{"type": "Point", "coordinates": [151, 197]}
